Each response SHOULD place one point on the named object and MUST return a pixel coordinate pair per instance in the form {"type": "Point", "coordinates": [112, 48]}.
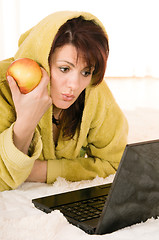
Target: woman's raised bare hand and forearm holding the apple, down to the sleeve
{"type": "Point", "coordinates": [29, 108]}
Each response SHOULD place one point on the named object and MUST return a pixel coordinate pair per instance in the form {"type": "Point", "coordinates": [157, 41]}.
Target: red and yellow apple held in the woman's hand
{"type": "Point", "coordinates": [26, 72]}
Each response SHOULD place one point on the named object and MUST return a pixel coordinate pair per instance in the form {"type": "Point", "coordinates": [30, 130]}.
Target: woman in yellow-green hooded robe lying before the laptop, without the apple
{"type": "Point", "coordinates": [70, 124]}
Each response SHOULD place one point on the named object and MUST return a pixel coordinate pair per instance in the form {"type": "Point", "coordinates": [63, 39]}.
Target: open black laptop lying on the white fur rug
{"type": "Point", "coordinates": [133, 197]}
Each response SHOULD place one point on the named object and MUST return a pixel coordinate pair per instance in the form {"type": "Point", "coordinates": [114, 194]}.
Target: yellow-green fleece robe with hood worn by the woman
{"type": "Point", "coordinates": [95, 149]}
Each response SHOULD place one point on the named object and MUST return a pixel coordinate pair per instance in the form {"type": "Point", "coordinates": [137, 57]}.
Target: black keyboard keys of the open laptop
{"type": "Point", "coordinates": [84, 210]}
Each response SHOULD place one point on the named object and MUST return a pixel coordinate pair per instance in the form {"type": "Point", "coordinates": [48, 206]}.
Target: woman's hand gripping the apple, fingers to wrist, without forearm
{"type": "Point", "coordinates": [31, 106]}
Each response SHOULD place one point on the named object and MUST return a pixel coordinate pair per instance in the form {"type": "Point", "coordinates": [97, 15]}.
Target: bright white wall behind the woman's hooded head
{"type": "Point", "coordinates": [132, 26]}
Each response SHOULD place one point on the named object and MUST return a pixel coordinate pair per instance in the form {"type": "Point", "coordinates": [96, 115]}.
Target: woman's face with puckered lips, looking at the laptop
{"type": "Point", "coordinates": [70, 75]}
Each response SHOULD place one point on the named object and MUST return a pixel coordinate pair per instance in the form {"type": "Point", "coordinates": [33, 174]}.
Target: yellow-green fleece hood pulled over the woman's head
{"type": "Point", "coordinates": [36, 43]}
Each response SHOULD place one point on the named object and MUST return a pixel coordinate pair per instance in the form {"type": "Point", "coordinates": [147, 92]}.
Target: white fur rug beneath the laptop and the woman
{"type": "Point", "coordinates": [20, 220]}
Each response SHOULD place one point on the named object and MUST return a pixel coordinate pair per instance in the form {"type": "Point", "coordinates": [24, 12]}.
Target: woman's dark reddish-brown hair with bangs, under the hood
{"type": "Point", "coordinates": [90, 40]}
